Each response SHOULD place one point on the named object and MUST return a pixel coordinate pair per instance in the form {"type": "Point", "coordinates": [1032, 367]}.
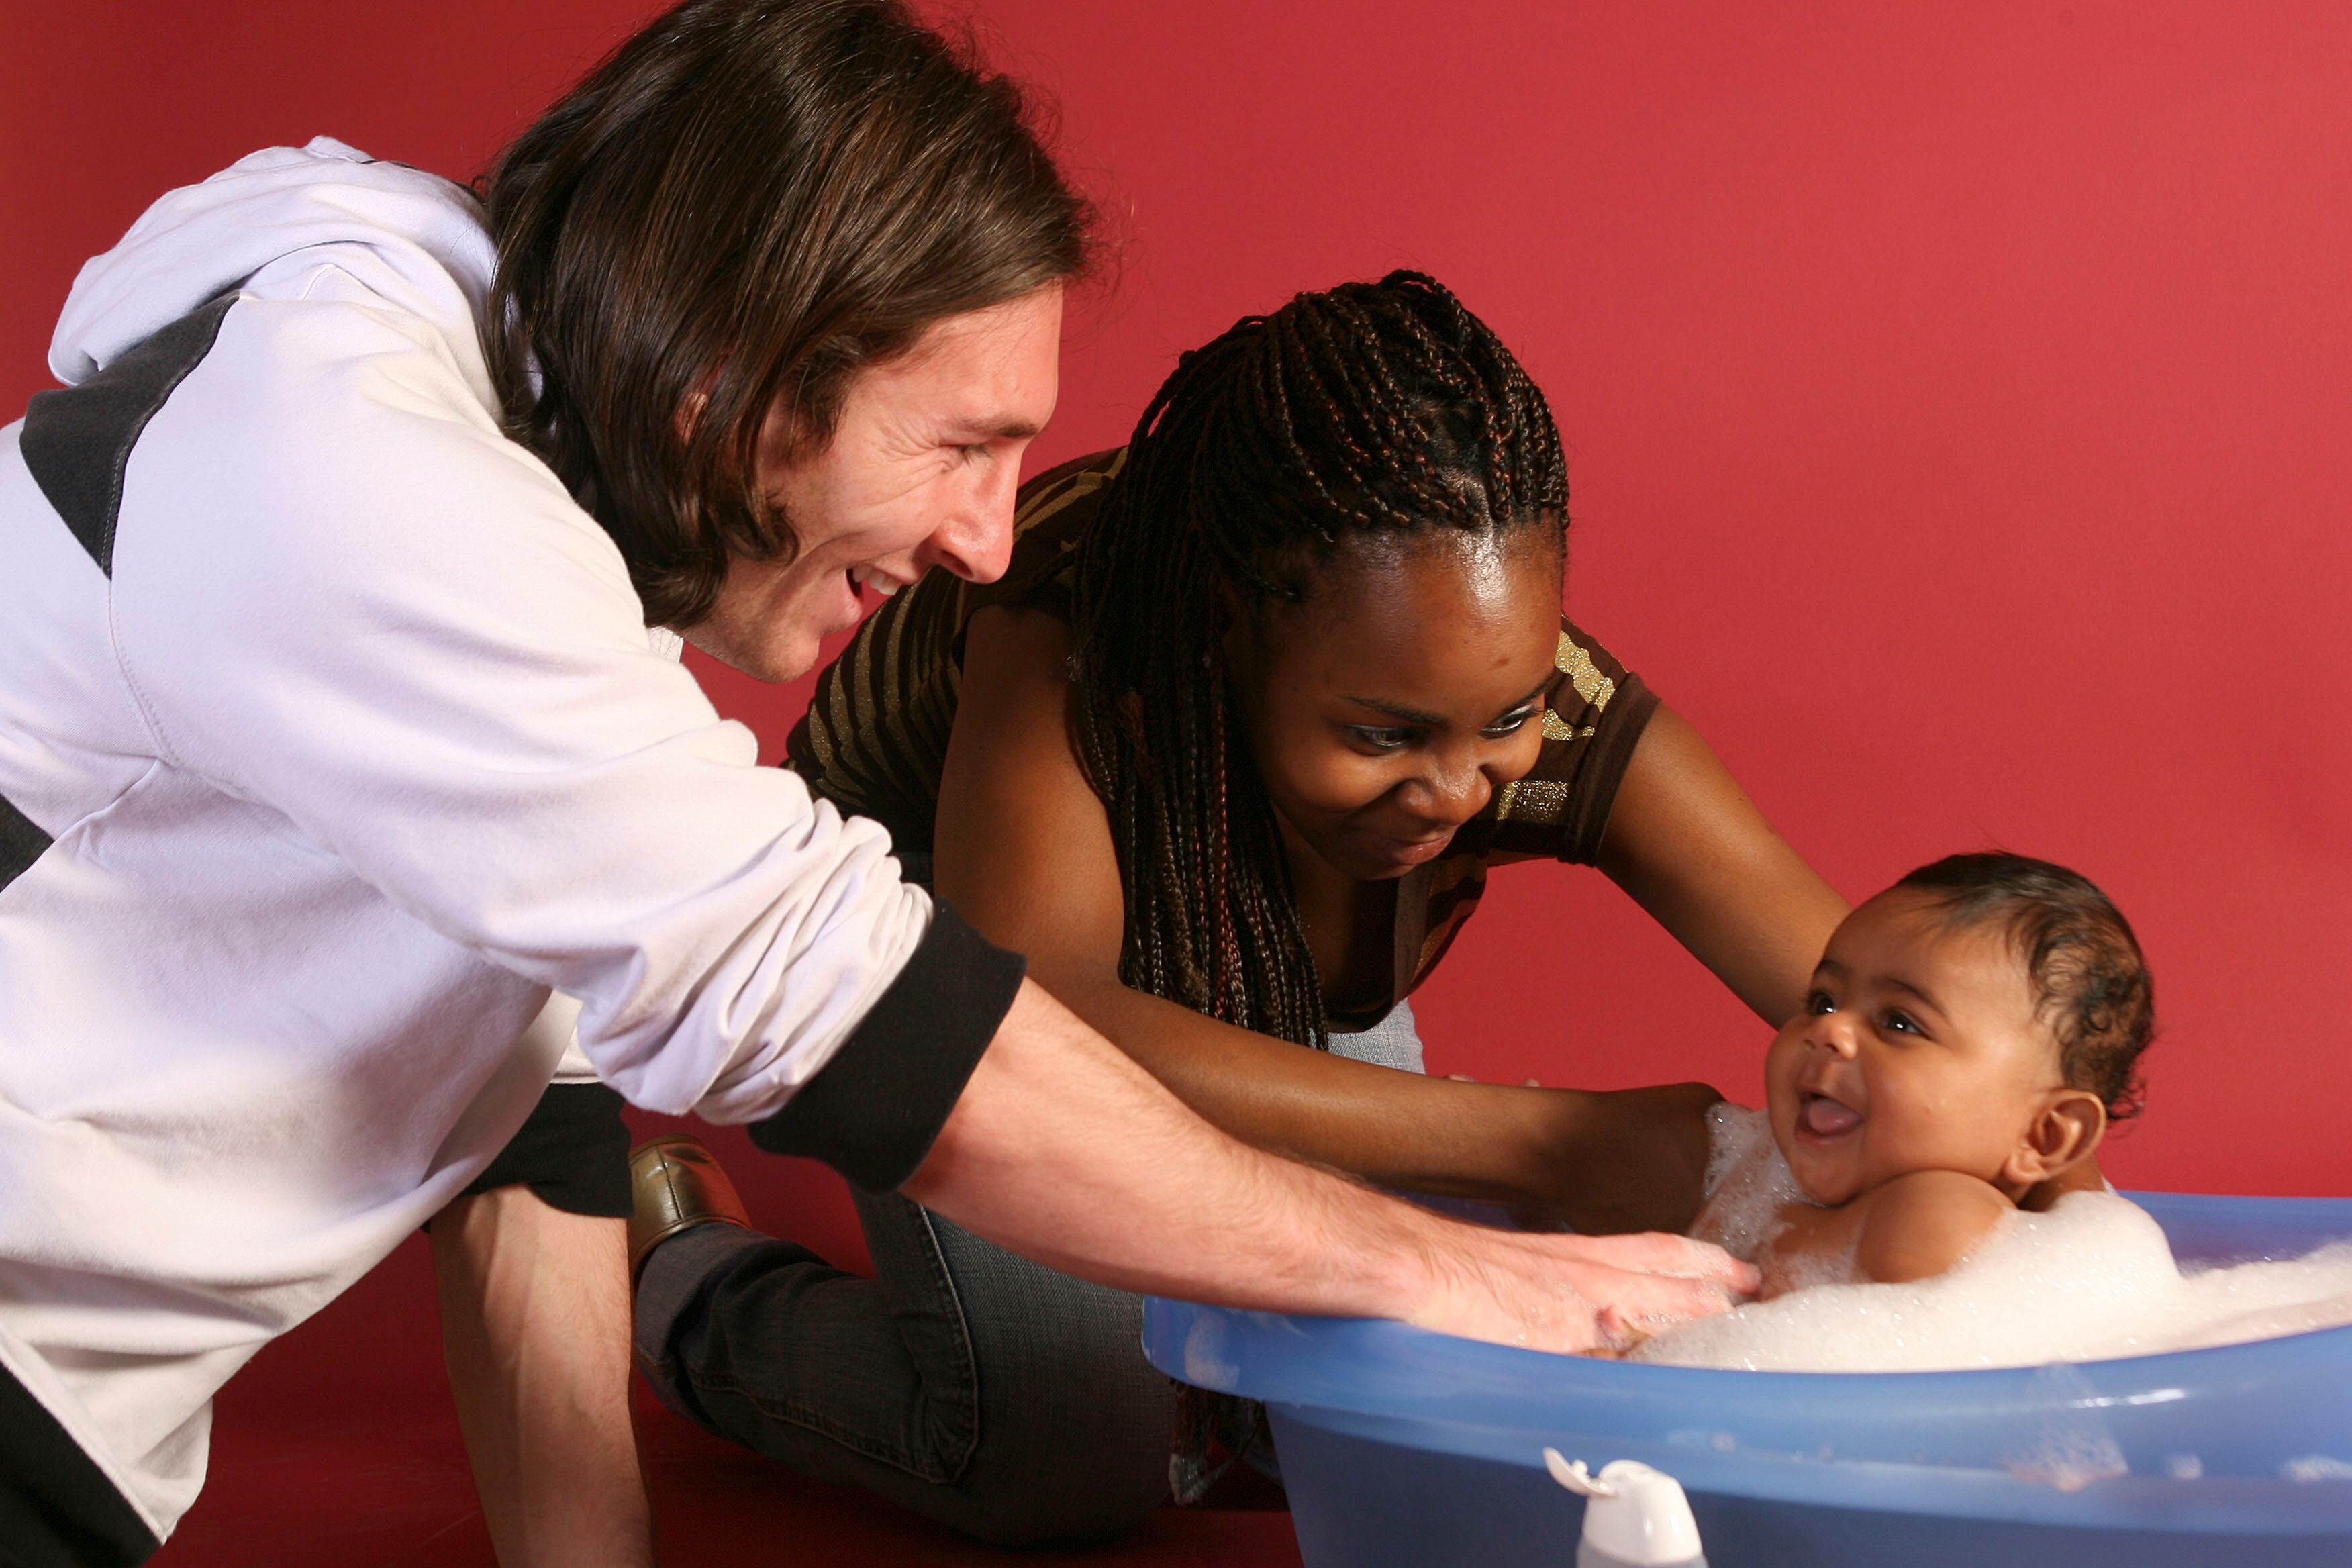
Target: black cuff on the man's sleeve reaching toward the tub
{"type": "Point", "coordinates": [874, 1111]}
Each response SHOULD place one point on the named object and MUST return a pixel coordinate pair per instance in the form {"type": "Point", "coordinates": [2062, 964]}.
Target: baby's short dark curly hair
{"type": "Point", "coordinates": [2080, 956]}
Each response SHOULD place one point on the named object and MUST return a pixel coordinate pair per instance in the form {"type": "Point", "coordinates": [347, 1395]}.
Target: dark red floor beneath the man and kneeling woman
{"type": "Point", "coordinates": [340, 1447]}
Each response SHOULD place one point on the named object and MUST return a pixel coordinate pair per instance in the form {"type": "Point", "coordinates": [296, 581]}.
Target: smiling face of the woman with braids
{"type": "Point", "coordinates": [1403, 692]}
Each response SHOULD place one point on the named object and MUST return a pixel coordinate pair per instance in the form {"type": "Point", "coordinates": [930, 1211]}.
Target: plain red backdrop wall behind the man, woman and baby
{"type": "Point", "coordinates": [1956, 396]}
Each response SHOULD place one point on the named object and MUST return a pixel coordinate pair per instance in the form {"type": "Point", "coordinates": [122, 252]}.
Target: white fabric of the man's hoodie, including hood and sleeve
{"type": "Point", "coordinates": [330, 744]}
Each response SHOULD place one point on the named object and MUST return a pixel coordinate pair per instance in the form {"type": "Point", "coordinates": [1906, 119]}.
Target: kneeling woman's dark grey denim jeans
{"type": "Point", "coordinates": [965, 1383]}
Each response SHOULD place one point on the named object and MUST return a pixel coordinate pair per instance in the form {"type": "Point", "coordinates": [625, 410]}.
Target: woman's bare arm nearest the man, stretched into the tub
{"type": "Point", "coordinates": [1024, 852]}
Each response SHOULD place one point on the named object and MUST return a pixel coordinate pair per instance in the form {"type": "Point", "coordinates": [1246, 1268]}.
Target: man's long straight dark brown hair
{"type": "Point", "coordinates": [747, 203]}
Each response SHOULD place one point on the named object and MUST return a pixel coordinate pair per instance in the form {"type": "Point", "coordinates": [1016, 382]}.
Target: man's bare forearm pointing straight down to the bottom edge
{"type": "Point", "coordinates": [535, 1327]}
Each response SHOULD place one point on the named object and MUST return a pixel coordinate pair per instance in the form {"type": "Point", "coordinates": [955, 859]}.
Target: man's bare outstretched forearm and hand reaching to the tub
{"type": "Point", "coordinates": [1067, 1151]}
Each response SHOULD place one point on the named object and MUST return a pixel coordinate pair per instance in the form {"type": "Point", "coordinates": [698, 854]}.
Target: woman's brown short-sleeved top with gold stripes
{"type": "Point", "coordinates": [876, 737]}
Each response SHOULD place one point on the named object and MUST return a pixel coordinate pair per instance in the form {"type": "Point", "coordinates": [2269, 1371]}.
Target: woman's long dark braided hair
{"type": "Point", "coordinates": [1377, 408]}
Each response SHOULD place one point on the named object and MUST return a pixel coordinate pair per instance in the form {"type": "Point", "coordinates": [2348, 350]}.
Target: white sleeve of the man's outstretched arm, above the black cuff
{"type": "Point", "coordinates": [342, 594]}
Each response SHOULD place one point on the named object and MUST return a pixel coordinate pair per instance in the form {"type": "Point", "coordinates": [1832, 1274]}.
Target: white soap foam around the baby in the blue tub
{"type": "Point", "coordinates": [2090, 1280]}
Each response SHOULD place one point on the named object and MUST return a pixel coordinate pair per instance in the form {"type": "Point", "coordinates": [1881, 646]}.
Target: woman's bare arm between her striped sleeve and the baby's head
{"type": "Point", "coordinates": [1695, 852]}
